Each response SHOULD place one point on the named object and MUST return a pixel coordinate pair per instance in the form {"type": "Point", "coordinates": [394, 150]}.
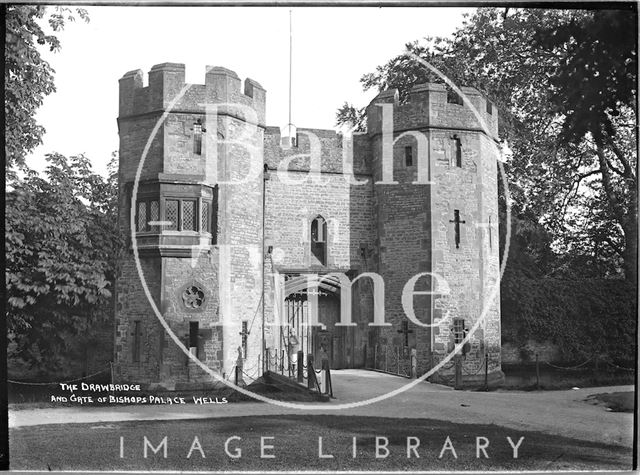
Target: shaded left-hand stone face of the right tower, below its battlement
{"type": "Point", "coordinates": [403, 246]}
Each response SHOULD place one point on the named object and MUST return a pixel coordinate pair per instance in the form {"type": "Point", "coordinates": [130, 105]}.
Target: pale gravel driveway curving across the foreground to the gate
{"type": "Point", "coordinates": [555, 412]}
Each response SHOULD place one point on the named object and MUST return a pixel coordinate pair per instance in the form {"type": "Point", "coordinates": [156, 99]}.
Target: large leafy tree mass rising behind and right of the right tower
{"type": "Point", "coordinates": [574, 161]}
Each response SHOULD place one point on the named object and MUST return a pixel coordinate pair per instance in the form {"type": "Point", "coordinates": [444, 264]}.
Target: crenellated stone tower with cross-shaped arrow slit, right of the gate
{"type": "Point", "coordinates": [435, 198]}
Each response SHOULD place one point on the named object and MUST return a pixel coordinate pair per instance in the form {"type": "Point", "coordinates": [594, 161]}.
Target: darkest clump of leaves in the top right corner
{"type": "Point", "coordinates": [597, 72]}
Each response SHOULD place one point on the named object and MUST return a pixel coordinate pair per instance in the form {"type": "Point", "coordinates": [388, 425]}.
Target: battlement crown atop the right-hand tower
{"type": "Point", "coordinates": [427, 105]}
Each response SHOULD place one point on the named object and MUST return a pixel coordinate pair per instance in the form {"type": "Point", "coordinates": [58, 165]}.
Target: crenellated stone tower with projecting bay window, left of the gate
{"type": "Point", "coordinates": [197, 221]}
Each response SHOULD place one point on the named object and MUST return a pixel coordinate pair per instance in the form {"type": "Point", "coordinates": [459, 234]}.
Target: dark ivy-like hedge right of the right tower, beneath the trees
{"type": "Point", "coordinates": [584, 317]}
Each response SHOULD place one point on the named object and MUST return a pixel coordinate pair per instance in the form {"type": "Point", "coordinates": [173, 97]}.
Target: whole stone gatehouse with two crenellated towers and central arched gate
{"type": "Point", "coordinates": [242, 233]}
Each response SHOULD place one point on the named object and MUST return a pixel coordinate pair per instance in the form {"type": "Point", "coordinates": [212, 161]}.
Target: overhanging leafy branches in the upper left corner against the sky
{"type": "Point", "coordinates": [28, 78]}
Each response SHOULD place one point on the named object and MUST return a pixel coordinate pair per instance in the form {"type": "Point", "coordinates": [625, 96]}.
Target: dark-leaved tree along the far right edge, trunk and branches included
{"type": "Point", "coordinates": [595, 90]}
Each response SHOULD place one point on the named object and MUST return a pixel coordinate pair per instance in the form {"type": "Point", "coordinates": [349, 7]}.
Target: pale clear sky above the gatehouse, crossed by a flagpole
{"type": "Point", "coordinates": [332, 49]}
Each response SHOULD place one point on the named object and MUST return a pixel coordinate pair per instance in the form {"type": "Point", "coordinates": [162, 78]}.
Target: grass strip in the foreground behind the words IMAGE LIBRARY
{"type": "Point", "coordinates": [295, 443]}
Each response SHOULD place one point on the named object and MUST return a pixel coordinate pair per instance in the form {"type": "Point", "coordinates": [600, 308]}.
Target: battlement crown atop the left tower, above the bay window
{"type": "Point", "coordinates": [167, 81]}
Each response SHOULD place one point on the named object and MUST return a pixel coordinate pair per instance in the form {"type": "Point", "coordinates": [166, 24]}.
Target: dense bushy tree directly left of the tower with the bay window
{"type": "Point", "coordinates": [61, 240]}
